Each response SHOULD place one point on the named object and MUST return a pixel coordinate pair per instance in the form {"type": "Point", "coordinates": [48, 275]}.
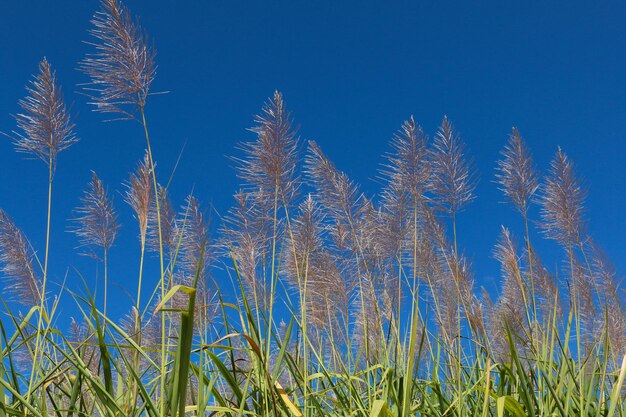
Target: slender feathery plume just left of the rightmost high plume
{"type": "Point", "coordinates": [516, 172]}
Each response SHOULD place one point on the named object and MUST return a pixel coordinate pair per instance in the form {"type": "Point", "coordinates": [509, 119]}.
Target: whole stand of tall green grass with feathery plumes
{"type": "Point", "coordinates": [344, 305]}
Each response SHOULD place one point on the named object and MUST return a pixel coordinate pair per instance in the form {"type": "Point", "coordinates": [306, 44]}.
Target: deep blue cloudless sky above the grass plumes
{"type": "Point", "coordinates": [351, 72]}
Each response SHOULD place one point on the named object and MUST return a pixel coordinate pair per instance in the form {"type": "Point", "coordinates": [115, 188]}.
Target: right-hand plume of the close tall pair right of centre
{"type": "Point", "coordinates": [453, 178]}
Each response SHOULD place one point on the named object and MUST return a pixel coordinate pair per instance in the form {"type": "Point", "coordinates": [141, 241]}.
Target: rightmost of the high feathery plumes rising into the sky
{"type": "Point", "coordinates": [562, 202]}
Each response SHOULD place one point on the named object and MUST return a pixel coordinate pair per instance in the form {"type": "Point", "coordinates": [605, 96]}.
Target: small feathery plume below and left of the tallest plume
{"type": "Point", "coordinates": [96, 224]}
